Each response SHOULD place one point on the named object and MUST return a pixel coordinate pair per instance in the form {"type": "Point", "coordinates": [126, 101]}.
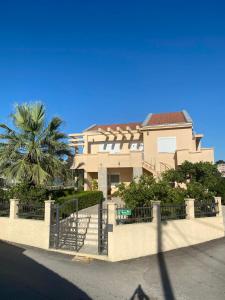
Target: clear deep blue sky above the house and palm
{"type": "Point", "coordinates": [115, 61]}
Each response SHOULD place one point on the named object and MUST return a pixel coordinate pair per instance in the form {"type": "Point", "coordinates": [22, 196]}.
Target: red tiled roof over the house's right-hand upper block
{"type": "Point", "coordinates": [167, 118]}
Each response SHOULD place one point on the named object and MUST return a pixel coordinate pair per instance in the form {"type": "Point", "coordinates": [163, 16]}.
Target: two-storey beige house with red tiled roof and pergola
{"type": "Point", "coordinates": [117, 153]}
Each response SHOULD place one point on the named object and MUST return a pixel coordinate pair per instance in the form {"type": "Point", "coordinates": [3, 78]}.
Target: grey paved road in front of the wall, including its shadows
{"type": "Point", "coordinates": [190, 273]}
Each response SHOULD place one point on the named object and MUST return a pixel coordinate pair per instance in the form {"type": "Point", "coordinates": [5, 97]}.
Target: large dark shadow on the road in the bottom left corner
{"type": "Point", "coordinates": [23, 278]}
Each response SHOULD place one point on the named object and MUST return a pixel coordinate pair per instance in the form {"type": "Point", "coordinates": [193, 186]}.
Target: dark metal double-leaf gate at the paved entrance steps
{"type": "Point", "coordinates": [69, 227]}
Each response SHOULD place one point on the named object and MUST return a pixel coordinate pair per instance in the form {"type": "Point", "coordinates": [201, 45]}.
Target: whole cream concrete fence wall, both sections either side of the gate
{"type": "Point", "coordinates": [125, 241]}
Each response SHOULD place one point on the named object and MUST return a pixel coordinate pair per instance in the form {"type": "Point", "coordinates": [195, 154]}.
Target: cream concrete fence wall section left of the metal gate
{"type": "Point", "coordinates": [24, 231]}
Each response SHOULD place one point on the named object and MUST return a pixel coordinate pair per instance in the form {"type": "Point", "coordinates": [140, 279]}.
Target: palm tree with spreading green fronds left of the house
{"type": "Point", "coordinates": [33, 152]}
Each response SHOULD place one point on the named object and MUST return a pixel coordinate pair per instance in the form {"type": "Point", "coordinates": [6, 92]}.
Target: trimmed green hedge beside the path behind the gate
{"type": "Point", "coordinates": [85, 199]}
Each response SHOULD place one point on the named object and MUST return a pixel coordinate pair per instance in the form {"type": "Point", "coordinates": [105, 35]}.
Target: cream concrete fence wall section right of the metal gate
{"type": "Point", "coordinates": [136, 240]}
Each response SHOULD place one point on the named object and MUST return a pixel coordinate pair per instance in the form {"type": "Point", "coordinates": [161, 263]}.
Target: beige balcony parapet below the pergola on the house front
{"type": "Point", "coordinates": [92, 162]}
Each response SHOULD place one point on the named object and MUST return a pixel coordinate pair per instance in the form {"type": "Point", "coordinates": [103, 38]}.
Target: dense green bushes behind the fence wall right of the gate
{"type": "Point", "coordinates": [199, 180]}
